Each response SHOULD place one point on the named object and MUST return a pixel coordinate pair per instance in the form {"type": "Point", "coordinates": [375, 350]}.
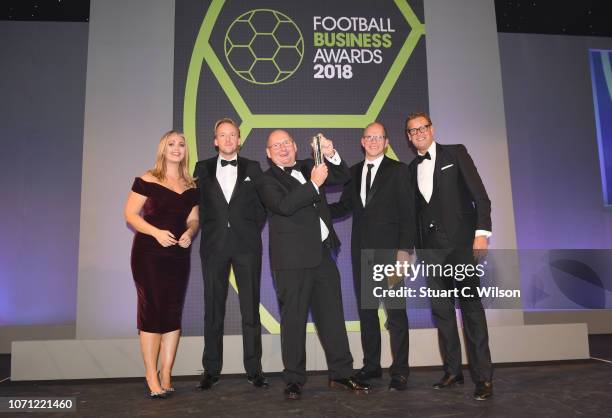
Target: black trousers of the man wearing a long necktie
{"type": "Point", "coordinates": [397, 318]}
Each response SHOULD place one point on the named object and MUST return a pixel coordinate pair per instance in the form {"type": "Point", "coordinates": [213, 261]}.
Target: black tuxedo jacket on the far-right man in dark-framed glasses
{"type": "Point", "coordinates": [459, 203]}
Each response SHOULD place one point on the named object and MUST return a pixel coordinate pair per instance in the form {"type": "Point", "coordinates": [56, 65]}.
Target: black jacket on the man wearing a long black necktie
{"type": "Point", "coordinates": [387, 219]}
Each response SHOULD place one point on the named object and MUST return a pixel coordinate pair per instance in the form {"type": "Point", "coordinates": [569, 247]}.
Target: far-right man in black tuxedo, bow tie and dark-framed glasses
{"type": "Point", "coordinates": [454, 223]}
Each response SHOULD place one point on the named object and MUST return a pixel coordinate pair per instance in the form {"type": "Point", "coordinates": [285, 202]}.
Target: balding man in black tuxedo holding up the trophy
{"type": "Point", "coordinates": [302, 239]}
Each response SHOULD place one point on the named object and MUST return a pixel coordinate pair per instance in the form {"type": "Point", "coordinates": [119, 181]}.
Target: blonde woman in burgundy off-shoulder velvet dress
{"type": "Point", "coordinates": [162, 208]}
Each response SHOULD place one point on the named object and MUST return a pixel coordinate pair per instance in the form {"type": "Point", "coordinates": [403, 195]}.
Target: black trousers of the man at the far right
{"type": "Point", "coordinates": [444, 313]}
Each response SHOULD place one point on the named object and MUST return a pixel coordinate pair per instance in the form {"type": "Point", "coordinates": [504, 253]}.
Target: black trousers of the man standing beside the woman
{"type": "Point", "coordinates": [247, 270]}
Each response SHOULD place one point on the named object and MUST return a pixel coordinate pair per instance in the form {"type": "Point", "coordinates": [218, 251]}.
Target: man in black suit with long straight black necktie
{"type": "Point", "coordinates": [383, 219]}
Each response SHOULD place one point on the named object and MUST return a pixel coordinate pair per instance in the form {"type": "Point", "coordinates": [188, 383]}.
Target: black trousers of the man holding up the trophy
{"type": "Point", "coordinates": [317, 289]}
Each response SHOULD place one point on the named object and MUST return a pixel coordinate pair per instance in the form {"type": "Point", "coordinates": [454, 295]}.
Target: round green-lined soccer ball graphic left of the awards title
{"type": "Point", "coordinates": [264, 46]}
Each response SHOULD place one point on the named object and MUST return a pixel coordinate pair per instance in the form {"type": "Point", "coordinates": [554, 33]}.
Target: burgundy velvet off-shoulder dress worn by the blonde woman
{"type": "Point", "coordinates": [161, 273]}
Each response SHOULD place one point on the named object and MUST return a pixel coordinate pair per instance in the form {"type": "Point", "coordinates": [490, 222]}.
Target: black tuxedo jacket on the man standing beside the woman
{"type": "Point", "coordinates": [244, 212]}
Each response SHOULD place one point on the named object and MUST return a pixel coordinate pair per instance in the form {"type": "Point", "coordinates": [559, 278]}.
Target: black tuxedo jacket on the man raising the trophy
{"type": "Point", "coordinates": [295, 209]}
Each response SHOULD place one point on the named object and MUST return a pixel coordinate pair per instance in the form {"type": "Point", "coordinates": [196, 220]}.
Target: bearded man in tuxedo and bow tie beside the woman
{"type": "Point", "coordinates": [232, 219]}
